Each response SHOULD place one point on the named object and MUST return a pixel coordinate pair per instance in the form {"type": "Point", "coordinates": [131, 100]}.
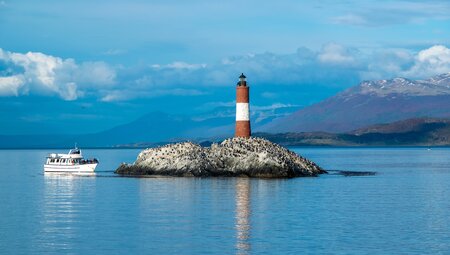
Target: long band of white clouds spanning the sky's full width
{"type": "Point", "coordinates": [333, 66]}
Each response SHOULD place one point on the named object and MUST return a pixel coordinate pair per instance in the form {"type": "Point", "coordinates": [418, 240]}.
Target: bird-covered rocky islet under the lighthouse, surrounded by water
{"type": "Point", "coordinates": [251, 157]}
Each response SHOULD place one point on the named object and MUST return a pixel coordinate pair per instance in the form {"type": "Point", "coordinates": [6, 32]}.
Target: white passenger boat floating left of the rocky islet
{"type": "Point", "coordinates": [73, 162]}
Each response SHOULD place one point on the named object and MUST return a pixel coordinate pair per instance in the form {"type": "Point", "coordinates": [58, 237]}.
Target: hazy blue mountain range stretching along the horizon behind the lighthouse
{"type": "Point", "coordinates": [351, 113]}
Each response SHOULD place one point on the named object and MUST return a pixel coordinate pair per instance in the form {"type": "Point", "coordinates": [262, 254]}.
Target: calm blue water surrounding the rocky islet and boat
{"type": "Point", "coordinates": [404, 209]}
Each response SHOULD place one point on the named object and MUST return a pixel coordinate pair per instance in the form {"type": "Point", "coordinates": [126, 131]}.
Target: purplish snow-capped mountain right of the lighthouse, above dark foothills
{"type": "Point", "coordinates": [371, 102]}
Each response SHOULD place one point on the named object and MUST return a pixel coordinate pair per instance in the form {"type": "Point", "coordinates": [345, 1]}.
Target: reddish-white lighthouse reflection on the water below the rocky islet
{"type": "Point", "coordinates": [242, 215]}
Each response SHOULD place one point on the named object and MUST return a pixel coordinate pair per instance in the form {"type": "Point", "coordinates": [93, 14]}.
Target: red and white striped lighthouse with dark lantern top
{"type": "Point", "coordinates": [242, 109]}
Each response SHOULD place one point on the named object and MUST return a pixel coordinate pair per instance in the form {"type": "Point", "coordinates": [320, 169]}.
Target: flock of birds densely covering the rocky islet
{"type": "Point", "coordinates": [234, 154]}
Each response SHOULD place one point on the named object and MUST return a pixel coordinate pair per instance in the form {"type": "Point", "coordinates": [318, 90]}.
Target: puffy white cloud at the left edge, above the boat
{"type": "Point", "coordinates": [38, 73]}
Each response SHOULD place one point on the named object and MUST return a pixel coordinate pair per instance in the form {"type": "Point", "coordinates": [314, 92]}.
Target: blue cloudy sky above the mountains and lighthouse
{"type": "Point", "coordinates": [86, 66]}
